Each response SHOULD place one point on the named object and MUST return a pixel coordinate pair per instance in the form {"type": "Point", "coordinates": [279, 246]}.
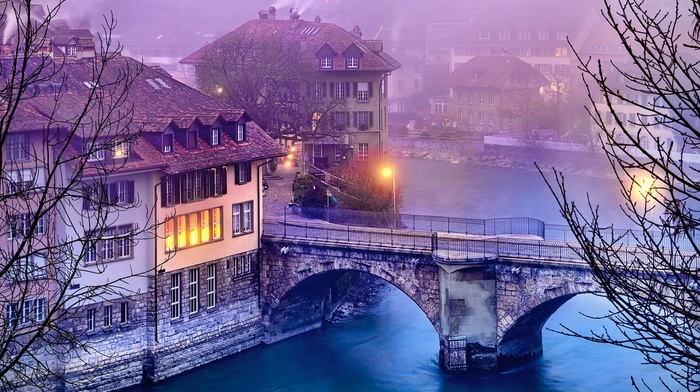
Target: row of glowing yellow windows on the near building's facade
{"type": "Point", "coordinates": [192, 229]}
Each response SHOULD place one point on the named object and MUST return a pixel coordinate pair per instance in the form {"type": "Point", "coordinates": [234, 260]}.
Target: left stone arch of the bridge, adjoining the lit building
{"type": "Point", "coordinates": [297, 280]}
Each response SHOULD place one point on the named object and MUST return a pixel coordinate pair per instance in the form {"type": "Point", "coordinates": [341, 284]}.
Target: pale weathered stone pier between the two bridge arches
{"type": "Point", "coordinates": [468, 319]}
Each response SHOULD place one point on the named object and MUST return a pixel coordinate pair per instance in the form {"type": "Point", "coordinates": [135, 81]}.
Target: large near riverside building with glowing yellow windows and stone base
{"type": "Point", "coordinates": [163, 217]}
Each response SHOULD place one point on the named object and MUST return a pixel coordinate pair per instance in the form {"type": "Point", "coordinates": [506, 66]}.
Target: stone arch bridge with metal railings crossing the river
{"type": "Point", "coordinates": [488, 297]}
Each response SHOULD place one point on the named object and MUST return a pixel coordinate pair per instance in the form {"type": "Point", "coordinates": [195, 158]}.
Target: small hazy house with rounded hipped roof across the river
{"type": "Point", "coordinates": [495, 93]}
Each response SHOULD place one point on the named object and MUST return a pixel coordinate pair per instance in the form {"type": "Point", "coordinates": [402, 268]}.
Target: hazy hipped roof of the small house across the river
{"type": "Point", "coordinates": [498, 72]}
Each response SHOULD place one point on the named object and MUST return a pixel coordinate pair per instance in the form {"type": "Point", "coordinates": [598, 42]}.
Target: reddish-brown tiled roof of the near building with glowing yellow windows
{"type": "Point", "coordinates": [157, 103]}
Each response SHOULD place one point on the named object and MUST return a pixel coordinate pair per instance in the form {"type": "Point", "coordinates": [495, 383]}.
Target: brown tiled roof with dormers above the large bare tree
{"type": "Point", "coordinates": [312, 36]}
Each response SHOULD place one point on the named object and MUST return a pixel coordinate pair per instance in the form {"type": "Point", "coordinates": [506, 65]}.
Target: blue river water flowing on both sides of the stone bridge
{"type": "Point", "coordinates": [390, 345]}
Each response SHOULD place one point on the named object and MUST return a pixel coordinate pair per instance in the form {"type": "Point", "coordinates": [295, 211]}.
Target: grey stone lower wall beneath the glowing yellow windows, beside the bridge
{"type": "Point", "coordinates": [232, 325]}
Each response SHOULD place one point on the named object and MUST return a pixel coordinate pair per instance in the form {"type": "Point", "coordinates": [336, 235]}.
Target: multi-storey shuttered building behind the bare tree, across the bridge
{"type": "Point", "coordinates": [350, 71]}
